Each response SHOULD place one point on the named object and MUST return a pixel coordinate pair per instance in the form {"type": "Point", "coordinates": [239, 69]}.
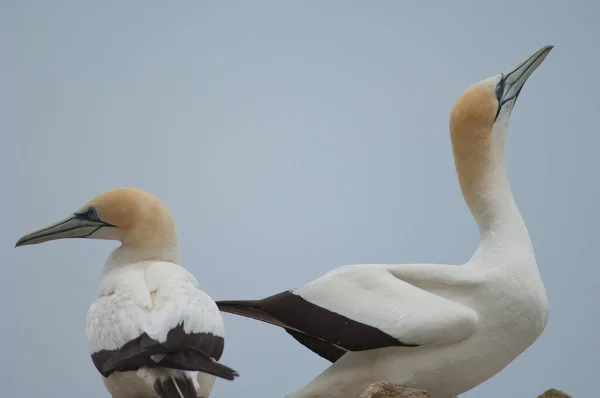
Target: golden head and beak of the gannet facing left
{"type": "Point", "coordinates": [132, 216]}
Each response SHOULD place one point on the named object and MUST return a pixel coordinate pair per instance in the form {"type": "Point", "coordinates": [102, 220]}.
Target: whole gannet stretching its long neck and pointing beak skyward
{"type": "Point", "coordinates": [442, 328]}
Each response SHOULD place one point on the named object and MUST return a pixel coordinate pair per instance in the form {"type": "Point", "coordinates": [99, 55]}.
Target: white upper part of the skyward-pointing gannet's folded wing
{"type": "Point", "coordinates": [403, 310]}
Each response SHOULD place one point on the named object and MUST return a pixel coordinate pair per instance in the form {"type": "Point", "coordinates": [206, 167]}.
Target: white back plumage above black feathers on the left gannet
{"type": "Point", "coordinates": [151, 297]}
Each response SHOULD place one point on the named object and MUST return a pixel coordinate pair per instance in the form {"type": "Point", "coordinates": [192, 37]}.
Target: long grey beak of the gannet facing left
{"type": "Point", "coordinates": [74, 226]}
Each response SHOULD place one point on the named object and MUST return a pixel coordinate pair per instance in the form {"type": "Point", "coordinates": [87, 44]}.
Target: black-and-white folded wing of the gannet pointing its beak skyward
{"type": "Point", "coordinates": [361, 307]}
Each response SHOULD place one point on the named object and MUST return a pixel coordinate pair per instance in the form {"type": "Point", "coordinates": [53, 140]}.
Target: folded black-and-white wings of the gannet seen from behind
{"type": "Point", "coordinates": [182, 330]}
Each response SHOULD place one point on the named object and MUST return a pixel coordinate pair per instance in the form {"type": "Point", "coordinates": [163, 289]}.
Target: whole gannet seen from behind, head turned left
{"type": "Point", "coordinates": [151, 332]}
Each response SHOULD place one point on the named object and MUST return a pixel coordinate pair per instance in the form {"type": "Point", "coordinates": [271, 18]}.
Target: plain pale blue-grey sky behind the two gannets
{"type": "Point", "coordinates": [288, 138]}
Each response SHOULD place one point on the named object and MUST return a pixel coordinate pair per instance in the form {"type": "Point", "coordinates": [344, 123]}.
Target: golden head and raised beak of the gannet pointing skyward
{"type": "Point", "coordinates": [479, 119]}
